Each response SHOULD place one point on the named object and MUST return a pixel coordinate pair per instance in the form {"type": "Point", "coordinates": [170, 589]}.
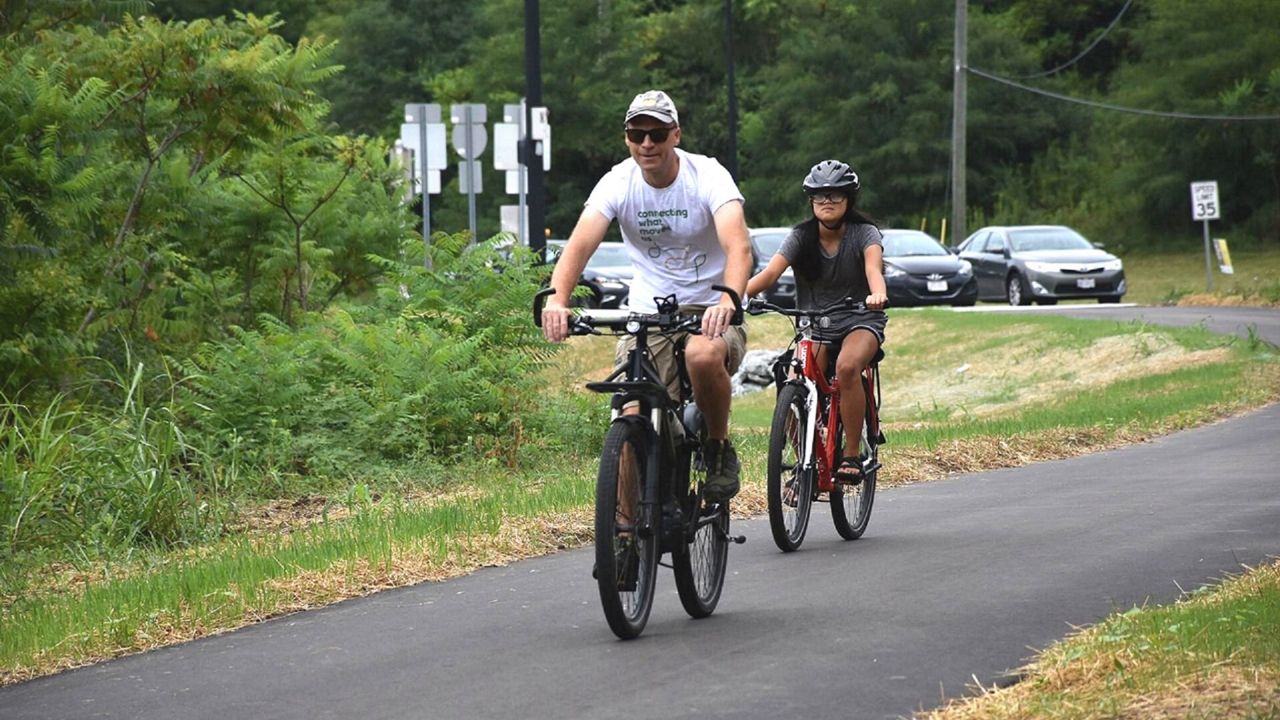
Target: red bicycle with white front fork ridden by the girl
{"type": "Point", "coordinates": [807, 438]}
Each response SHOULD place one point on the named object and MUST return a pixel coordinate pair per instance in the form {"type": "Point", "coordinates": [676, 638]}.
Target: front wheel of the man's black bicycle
{"type": "Point", "coordinates": [627, 553]}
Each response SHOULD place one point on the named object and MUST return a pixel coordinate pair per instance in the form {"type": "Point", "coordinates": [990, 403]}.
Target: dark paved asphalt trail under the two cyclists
{"type": "Point", "coordinates": [956, 580]}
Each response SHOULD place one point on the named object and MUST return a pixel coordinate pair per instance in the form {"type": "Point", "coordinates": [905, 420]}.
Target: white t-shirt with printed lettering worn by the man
{"type": "Point", "coordinates": [670, 233]}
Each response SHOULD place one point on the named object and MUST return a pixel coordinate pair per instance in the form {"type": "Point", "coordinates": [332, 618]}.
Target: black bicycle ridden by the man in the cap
{"type": "Point", "coordinates": [646, 503]}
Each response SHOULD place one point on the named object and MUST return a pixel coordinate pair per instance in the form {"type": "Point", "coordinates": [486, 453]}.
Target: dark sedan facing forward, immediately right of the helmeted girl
{"type": "Point", "coordinates": [918, 271]}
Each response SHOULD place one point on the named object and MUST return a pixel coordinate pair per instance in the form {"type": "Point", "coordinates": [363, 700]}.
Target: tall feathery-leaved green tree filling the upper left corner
{"type": "Point", "coordinates": [124, 197]}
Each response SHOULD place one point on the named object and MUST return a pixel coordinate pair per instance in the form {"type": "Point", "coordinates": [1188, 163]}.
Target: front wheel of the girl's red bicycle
{"type": "Point", "coordinates": [789, 485]}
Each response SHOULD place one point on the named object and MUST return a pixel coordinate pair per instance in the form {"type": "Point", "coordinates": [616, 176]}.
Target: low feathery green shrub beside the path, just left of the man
{"type": "Point", "coordinates": [441, 361]}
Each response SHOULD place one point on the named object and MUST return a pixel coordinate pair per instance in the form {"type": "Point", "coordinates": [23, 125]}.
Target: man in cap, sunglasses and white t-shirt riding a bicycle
{"type": "Point", "coordinates": [683, 224]}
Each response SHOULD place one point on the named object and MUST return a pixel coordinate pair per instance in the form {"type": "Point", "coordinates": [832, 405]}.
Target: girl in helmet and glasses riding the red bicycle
{"type": "Point", "coordinates": [836, 254]}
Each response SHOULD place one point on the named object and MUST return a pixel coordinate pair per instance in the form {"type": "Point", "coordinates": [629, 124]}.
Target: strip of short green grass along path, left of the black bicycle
{"type": "Point", "coordinates": [243, 578]}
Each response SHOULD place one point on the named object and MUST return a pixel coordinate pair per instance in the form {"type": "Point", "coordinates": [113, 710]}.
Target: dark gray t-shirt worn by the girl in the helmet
{"type": "Point", "coordinates": [839, 277]}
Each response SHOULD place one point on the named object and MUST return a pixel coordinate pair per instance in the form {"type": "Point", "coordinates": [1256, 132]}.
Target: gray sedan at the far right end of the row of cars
{"type": "Point", "coordinates": [1021, 265]}
